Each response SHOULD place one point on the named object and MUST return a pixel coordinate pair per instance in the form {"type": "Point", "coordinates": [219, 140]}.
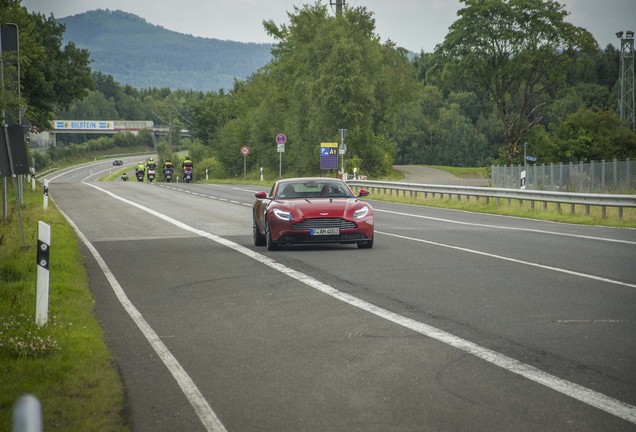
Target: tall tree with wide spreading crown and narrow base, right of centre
{"type": "Point", "coordinates": [519, 52]}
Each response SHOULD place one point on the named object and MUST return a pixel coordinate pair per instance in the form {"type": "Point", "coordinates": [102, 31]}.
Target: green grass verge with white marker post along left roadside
{"type": "Point", "coordinates": [65, 364]}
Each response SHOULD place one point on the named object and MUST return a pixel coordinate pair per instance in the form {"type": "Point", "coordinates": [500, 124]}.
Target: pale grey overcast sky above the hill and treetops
{"type": "Point", "coordinates": [413, 24]}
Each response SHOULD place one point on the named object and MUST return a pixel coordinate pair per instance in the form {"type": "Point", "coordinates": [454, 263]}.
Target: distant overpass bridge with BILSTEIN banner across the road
{"type": "Point", "coordinates": [99, 127]}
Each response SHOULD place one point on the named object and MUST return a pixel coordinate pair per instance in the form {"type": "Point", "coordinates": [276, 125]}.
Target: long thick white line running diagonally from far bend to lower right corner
{"type": "Point", "coordinates": [610, 405]}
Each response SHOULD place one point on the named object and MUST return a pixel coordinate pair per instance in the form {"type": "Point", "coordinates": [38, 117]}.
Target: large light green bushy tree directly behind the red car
{"type": "Point", "coordinates": [327, 73]}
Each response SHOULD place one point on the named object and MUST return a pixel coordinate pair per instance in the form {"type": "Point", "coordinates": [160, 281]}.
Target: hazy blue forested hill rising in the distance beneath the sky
{"type": "Point", "coordinates": [144, 55]}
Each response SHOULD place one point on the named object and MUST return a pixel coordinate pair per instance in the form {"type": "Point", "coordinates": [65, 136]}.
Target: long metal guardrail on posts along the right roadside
{"type": "Point", "coordinates": [573, 199]}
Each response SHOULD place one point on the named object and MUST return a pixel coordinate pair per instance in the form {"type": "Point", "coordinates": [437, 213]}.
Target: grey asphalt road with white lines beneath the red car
{"type": "Point", "coordinates": [452, 322]}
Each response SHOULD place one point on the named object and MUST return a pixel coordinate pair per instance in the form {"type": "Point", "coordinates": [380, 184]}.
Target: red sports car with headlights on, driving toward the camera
{"type": "Point", "coordinates": [312, 210]}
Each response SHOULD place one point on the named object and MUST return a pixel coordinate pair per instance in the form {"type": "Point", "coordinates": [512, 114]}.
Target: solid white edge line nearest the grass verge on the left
{"type": "Point", "coordinates": [205, 413]}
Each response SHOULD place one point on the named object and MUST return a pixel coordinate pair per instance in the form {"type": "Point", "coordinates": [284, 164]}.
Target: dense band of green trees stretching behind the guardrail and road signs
{"type": "Point", "coordinates": [509, 73]}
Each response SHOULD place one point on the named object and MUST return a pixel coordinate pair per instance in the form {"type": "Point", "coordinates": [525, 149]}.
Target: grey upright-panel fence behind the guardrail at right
{"type": "Point", "coordinates": [593, 177]}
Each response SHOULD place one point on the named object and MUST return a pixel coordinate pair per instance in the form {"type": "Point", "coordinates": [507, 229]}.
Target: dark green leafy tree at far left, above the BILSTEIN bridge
{"type": "Point", "coordinates": [50, 75]}
